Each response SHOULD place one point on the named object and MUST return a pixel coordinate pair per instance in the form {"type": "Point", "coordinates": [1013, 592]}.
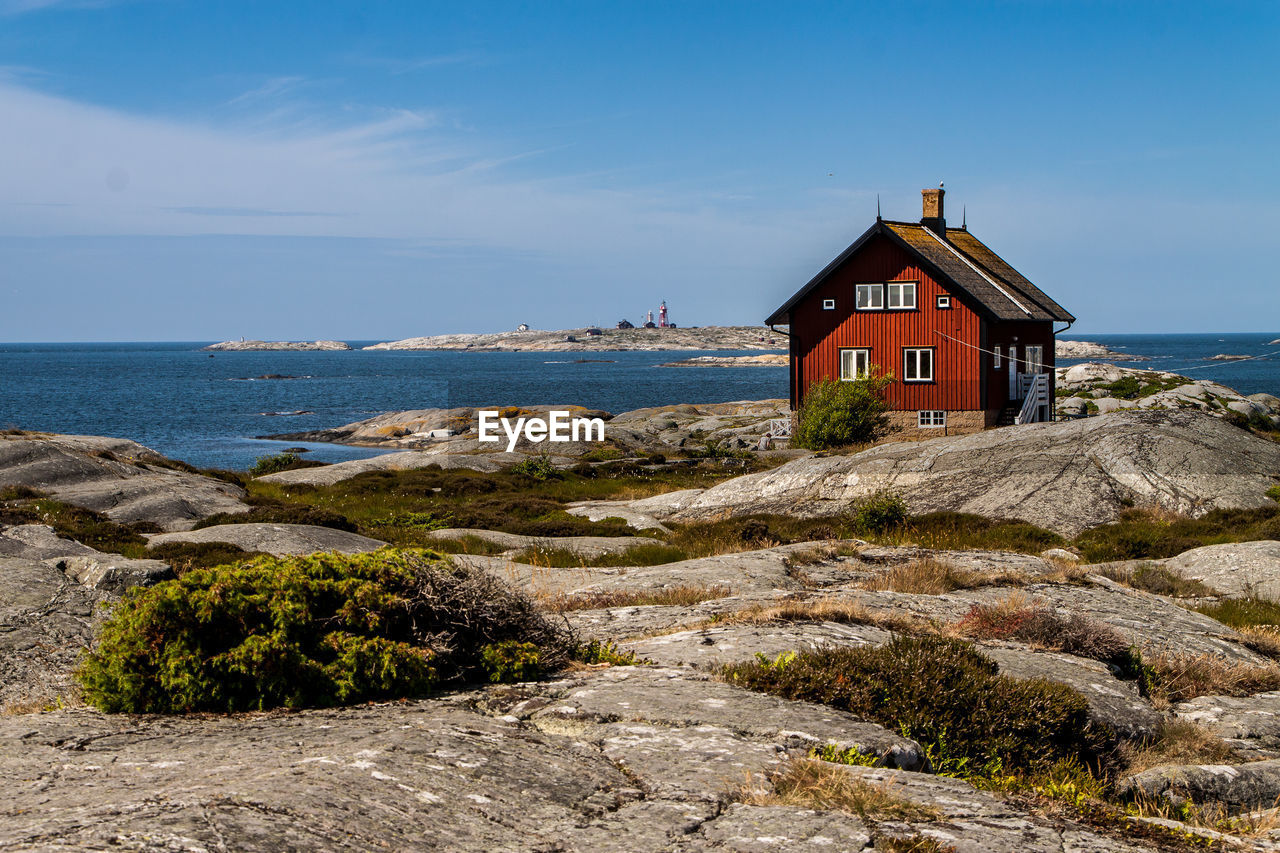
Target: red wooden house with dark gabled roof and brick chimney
{"type": "Point", "coordinates": [968, 340]}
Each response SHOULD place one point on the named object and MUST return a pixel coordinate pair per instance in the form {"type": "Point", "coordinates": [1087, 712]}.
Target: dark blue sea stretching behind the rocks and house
{"type": "Point", "coordinates": [211, 409]}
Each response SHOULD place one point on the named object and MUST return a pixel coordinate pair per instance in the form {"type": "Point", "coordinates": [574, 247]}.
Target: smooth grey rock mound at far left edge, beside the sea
{"type": "Point", "coordinates": [122, 480]}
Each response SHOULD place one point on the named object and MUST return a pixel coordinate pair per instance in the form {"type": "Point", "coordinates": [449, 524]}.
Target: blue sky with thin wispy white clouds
{"type": "Point", "coordinates": [205, 171]}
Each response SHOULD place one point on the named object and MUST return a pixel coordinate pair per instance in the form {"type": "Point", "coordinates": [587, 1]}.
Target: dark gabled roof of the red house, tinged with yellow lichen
{"type": "Point", "coordinates": [962, 262]}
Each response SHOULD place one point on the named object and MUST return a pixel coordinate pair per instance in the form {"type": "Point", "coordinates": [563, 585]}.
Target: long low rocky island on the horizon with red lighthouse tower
{"type": "Point", "coordinates": [710, 337]}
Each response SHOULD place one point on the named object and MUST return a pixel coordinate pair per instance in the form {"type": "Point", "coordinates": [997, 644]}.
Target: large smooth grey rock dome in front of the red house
{"type": "Point", "coordinates": [1066, 477]}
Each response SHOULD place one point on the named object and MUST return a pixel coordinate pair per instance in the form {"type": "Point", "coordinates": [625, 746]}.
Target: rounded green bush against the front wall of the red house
{"type": "Point", "coordinates": [839, 414]}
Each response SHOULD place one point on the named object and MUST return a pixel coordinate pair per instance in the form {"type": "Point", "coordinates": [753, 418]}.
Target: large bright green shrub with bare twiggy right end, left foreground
{"type": "Point", "coordinates": [308, 632]}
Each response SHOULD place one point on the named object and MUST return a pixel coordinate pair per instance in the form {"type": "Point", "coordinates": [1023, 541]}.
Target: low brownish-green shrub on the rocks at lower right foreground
{"type": "Point", "coordinates": [948, 697]}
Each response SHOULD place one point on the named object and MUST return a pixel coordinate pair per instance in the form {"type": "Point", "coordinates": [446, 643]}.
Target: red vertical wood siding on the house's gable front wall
{"type": "Point", "coordinates": [817, 335]}
